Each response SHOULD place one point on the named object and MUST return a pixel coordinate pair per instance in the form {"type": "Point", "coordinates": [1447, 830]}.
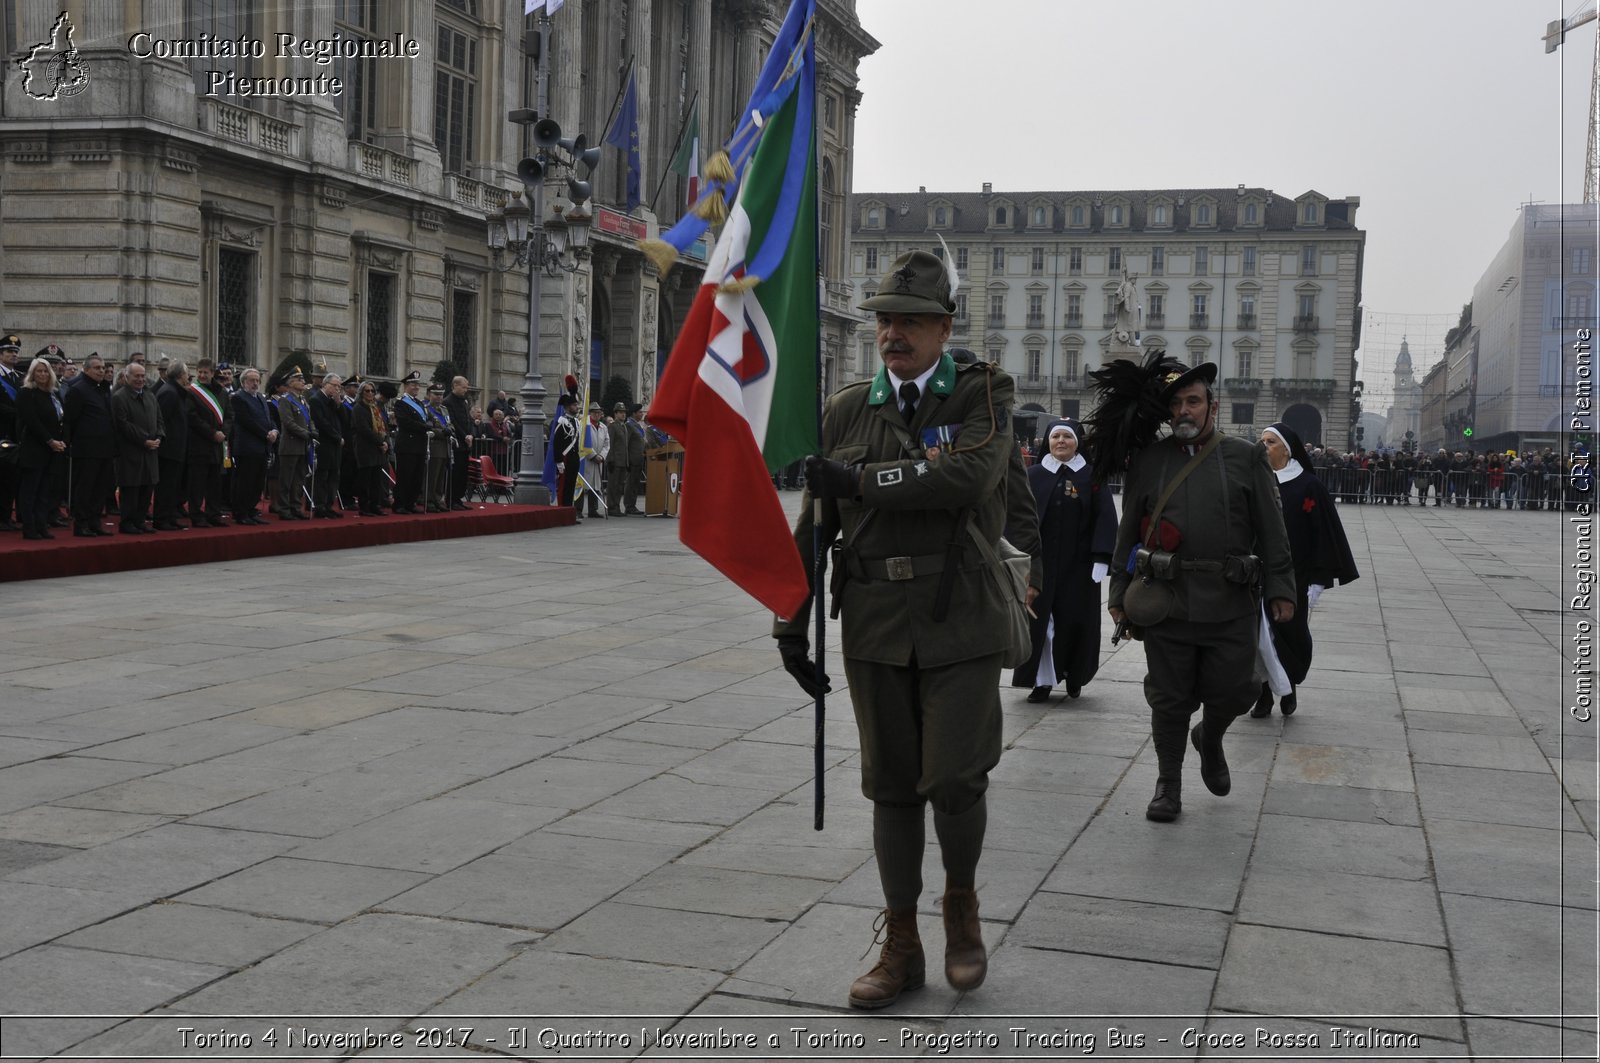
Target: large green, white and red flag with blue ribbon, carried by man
{"type": "Point", "coordinates": [740, 388]}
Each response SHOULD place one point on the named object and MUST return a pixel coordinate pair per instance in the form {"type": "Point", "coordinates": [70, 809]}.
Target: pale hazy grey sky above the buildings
{"type": "Point", "coordinates": [1444, 116]}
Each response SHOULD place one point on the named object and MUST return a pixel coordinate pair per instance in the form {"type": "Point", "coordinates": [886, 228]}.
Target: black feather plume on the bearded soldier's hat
{"type": "Point", "coordinates": [1132, 407]}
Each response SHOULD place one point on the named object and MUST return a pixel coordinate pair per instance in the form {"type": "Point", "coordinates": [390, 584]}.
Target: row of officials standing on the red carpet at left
{"type": "Point", "coordinates": [161, 444]}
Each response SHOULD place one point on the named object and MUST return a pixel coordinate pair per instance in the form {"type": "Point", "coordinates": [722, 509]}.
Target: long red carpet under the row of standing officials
{"type": "Point", "coordinates": [71, 556]}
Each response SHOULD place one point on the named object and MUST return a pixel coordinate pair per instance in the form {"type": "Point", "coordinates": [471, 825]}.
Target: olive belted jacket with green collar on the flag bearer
{"type": "Point", "coordinates": [913, 507]}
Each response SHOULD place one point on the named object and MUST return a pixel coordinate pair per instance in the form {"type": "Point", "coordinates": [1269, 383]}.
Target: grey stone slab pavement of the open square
{"type": "Point", "coordinates": [599, 792]}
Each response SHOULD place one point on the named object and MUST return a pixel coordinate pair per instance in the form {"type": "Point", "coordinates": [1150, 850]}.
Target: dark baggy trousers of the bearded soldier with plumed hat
{"type": "Point", "coordinates": [1194, 665]}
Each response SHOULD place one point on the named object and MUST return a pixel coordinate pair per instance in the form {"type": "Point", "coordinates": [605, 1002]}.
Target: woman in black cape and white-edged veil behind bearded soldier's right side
{"type": "Point", "coordinates": [1322, 558]}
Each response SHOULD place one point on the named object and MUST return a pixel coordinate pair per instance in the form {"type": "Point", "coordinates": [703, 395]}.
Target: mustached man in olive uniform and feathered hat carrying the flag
{"type": "Point", "coordinates": [914, 465]}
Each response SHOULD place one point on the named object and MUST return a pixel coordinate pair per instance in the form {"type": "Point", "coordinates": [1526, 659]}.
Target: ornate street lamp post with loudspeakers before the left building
{"type": "Point", "coordinates": [546, 247]}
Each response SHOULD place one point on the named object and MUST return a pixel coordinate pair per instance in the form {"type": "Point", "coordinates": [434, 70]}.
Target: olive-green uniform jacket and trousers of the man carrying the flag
{"type": "Point", "coordinates": [926, 691]}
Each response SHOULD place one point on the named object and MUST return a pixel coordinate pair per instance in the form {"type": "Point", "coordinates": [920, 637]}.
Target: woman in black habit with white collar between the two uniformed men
{"type": "Point", "coordinates": [1078, 531]}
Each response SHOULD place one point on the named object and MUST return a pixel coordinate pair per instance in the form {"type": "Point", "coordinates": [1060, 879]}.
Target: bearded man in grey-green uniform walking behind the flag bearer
{"type": "Point", "coordinates": [1218, 534]}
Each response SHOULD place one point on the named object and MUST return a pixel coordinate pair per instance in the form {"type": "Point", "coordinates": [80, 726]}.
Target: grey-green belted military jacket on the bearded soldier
{"type": "Point", "coordinates": [1228, 507]}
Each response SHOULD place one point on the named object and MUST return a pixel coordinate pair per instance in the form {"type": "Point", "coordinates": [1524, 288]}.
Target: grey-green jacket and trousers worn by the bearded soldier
{"type": "Point", "coordinates": [1206, 651]}
